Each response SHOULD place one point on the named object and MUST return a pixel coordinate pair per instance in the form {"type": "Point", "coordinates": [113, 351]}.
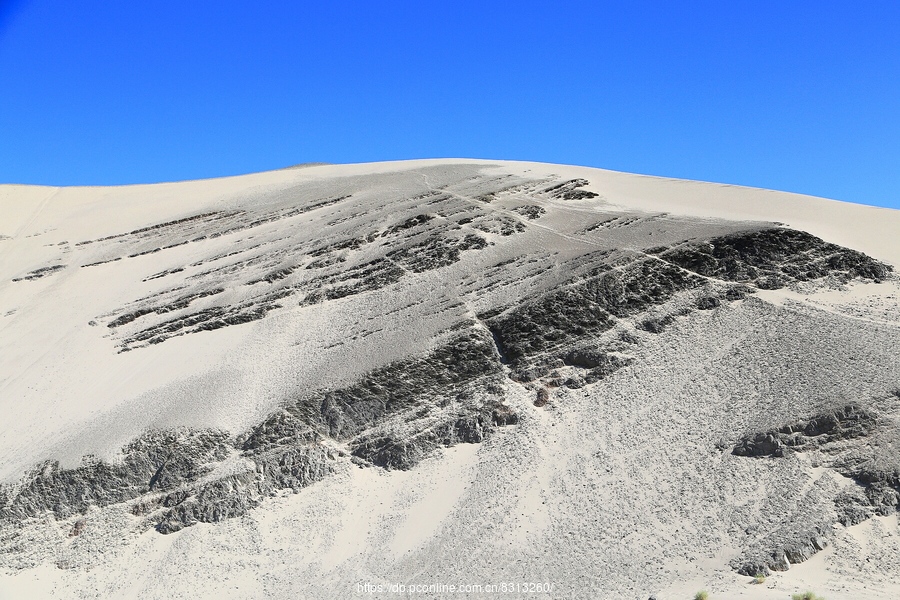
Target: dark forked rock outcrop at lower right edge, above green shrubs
{"type": "Point", "coordinates": [856, 442]}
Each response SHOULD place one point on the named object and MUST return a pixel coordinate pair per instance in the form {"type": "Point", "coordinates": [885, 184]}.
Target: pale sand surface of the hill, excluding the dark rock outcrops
{"type": "Point", "coordinates": [616, 489]}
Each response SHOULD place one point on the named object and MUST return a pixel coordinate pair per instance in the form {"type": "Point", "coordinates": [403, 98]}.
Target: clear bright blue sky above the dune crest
{"type": "Point", "coordinates": [799, 96]}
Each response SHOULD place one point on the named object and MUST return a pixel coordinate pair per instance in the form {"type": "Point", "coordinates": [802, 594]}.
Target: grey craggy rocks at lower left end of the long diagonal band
{"type": "Point", "coordinates": [172, 471]}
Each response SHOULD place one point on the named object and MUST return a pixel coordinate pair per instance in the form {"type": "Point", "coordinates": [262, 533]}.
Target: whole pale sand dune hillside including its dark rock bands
{"type": "Point", "coordinates": [622, 400]}
